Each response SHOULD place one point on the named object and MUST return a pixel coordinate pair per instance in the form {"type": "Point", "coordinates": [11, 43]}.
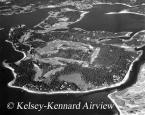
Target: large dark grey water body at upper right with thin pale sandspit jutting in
{"type": "Point", "coordinates": [97, 20]}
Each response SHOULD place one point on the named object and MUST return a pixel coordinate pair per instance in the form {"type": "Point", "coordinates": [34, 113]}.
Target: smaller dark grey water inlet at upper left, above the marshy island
{"type": "Point", "coordinates": [29, 19]}
